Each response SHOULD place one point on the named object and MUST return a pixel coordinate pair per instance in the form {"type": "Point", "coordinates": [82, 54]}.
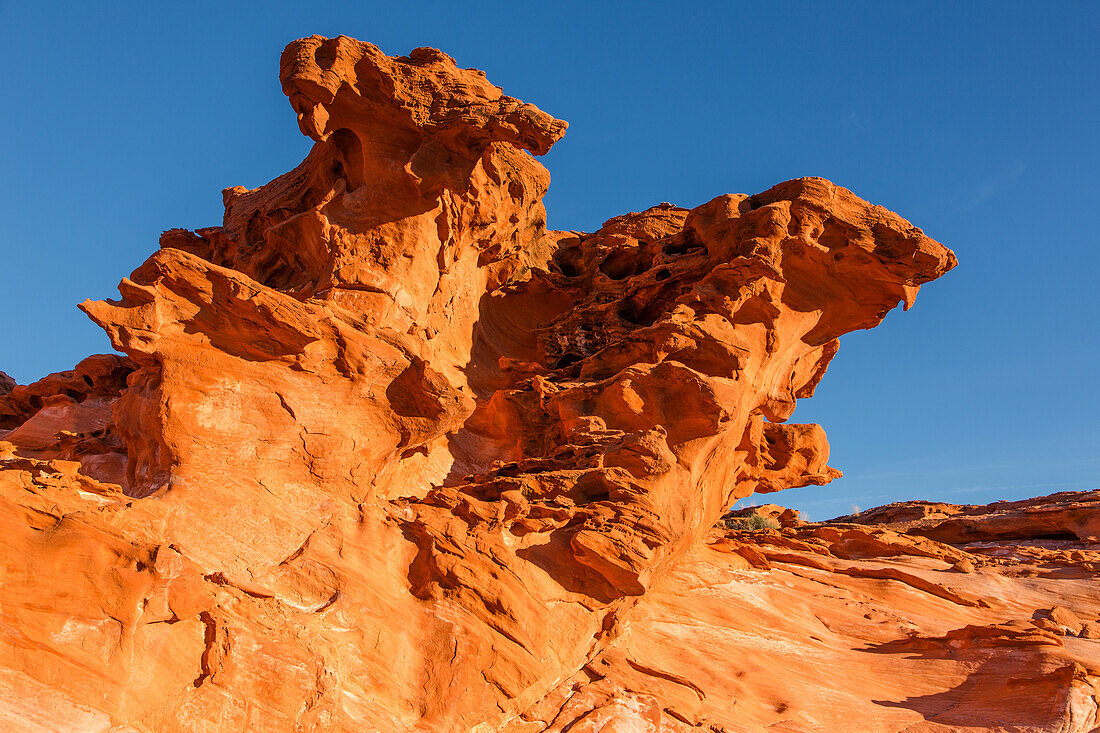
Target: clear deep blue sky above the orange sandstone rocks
{"type": "Point", "coordinates": [976, 122]}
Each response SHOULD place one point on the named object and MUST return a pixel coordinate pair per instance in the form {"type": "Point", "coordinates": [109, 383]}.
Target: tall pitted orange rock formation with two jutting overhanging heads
{"type": "Point", "coordinates": [397, 455]}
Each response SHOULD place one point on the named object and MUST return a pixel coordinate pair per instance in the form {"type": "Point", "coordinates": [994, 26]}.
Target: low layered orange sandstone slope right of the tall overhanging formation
{"type": "Point", "coordinates": [861, 627]}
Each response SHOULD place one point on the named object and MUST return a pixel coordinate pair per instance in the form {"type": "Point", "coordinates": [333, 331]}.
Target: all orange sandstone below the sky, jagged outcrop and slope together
{"type": "Point", "coordinates": [386, 454]}
